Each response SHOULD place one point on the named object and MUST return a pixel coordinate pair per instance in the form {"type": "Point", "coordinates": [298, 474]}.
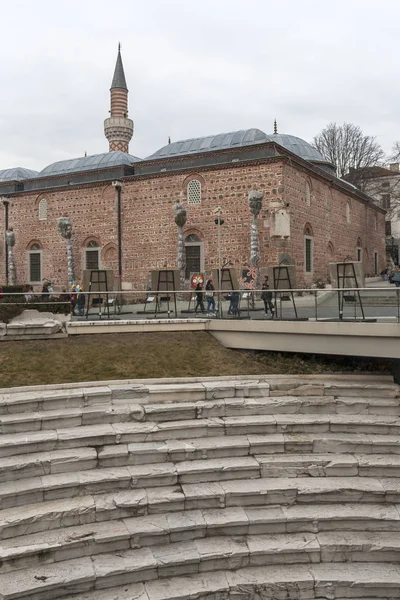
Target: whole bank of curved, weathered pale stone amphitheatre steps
{"type": "Point", "coordinates": [239, 489]}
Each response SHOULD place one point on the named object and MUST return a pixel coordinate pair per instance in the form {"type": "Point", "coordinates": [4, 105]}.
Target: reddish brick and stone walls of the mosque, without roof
{"type": "Point", "coordinates": [149, 233]}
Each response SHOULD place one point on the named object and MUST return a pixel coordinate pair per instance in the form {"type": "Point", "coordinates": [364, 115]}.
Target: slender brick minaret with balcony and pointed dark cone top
{"type": "Point", "coordinates": [118, 129]}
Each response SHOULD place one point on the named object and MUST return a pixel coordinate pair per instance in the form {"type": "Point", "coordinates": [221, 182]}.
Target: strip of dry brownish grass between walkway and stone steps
{"type": "Point", "coordinates": [145, 355]}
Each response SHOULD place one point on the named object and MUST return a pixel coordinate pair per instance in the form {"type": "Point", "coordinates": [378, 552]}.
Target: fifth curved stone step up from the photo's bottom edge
{"type": "Point", "coordinates": [66, 483]}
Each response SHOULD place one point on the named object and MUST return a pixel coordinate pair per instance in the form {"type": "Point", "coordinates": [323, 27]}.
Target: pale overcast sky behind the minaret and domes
{"type": "Point", "coordinates": [193, 68]}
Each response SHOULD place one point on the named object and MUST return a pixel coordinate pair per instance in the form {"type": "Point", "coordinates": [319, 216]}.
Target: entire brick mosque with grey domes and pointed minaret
{"type": "Point", "coordinates": [121, 207]}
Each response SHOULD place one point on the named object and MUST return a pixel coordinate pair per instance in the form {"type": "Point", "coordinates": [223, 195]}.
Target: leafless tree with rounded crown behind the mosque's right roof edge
{"type": "Point", "coordinates": [350, 150]}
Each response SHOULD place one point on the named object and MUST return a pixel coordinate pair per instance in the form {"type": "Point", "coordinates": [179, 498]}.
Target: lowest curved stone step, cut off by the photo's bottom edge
{"type": "Point", "coordinates": [334, 581]}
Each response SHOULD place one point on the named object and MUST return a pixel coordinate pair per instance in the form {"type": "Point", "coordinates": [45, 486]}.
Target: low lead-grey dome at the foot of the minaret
{"type": "Point", "coordinates": [107, 160]}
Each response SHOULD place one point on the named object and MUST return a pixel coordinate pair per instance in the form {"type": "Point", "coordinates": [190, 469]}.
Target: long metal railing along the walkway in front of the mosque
{"type": "Point", "coordinates": [356, 304]}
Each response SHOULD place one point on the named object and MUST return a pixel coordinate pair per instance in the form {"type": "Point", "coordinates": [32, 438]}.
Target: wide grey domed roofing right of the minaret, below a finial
{"type": "Point", "coordinates": [235, 139]}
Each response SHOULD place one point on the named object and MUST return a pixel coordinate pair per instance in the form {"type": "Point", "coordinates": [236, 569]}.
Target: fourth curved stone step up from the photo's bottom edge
{"type": "Point", "coordinates": [128, 503]}
